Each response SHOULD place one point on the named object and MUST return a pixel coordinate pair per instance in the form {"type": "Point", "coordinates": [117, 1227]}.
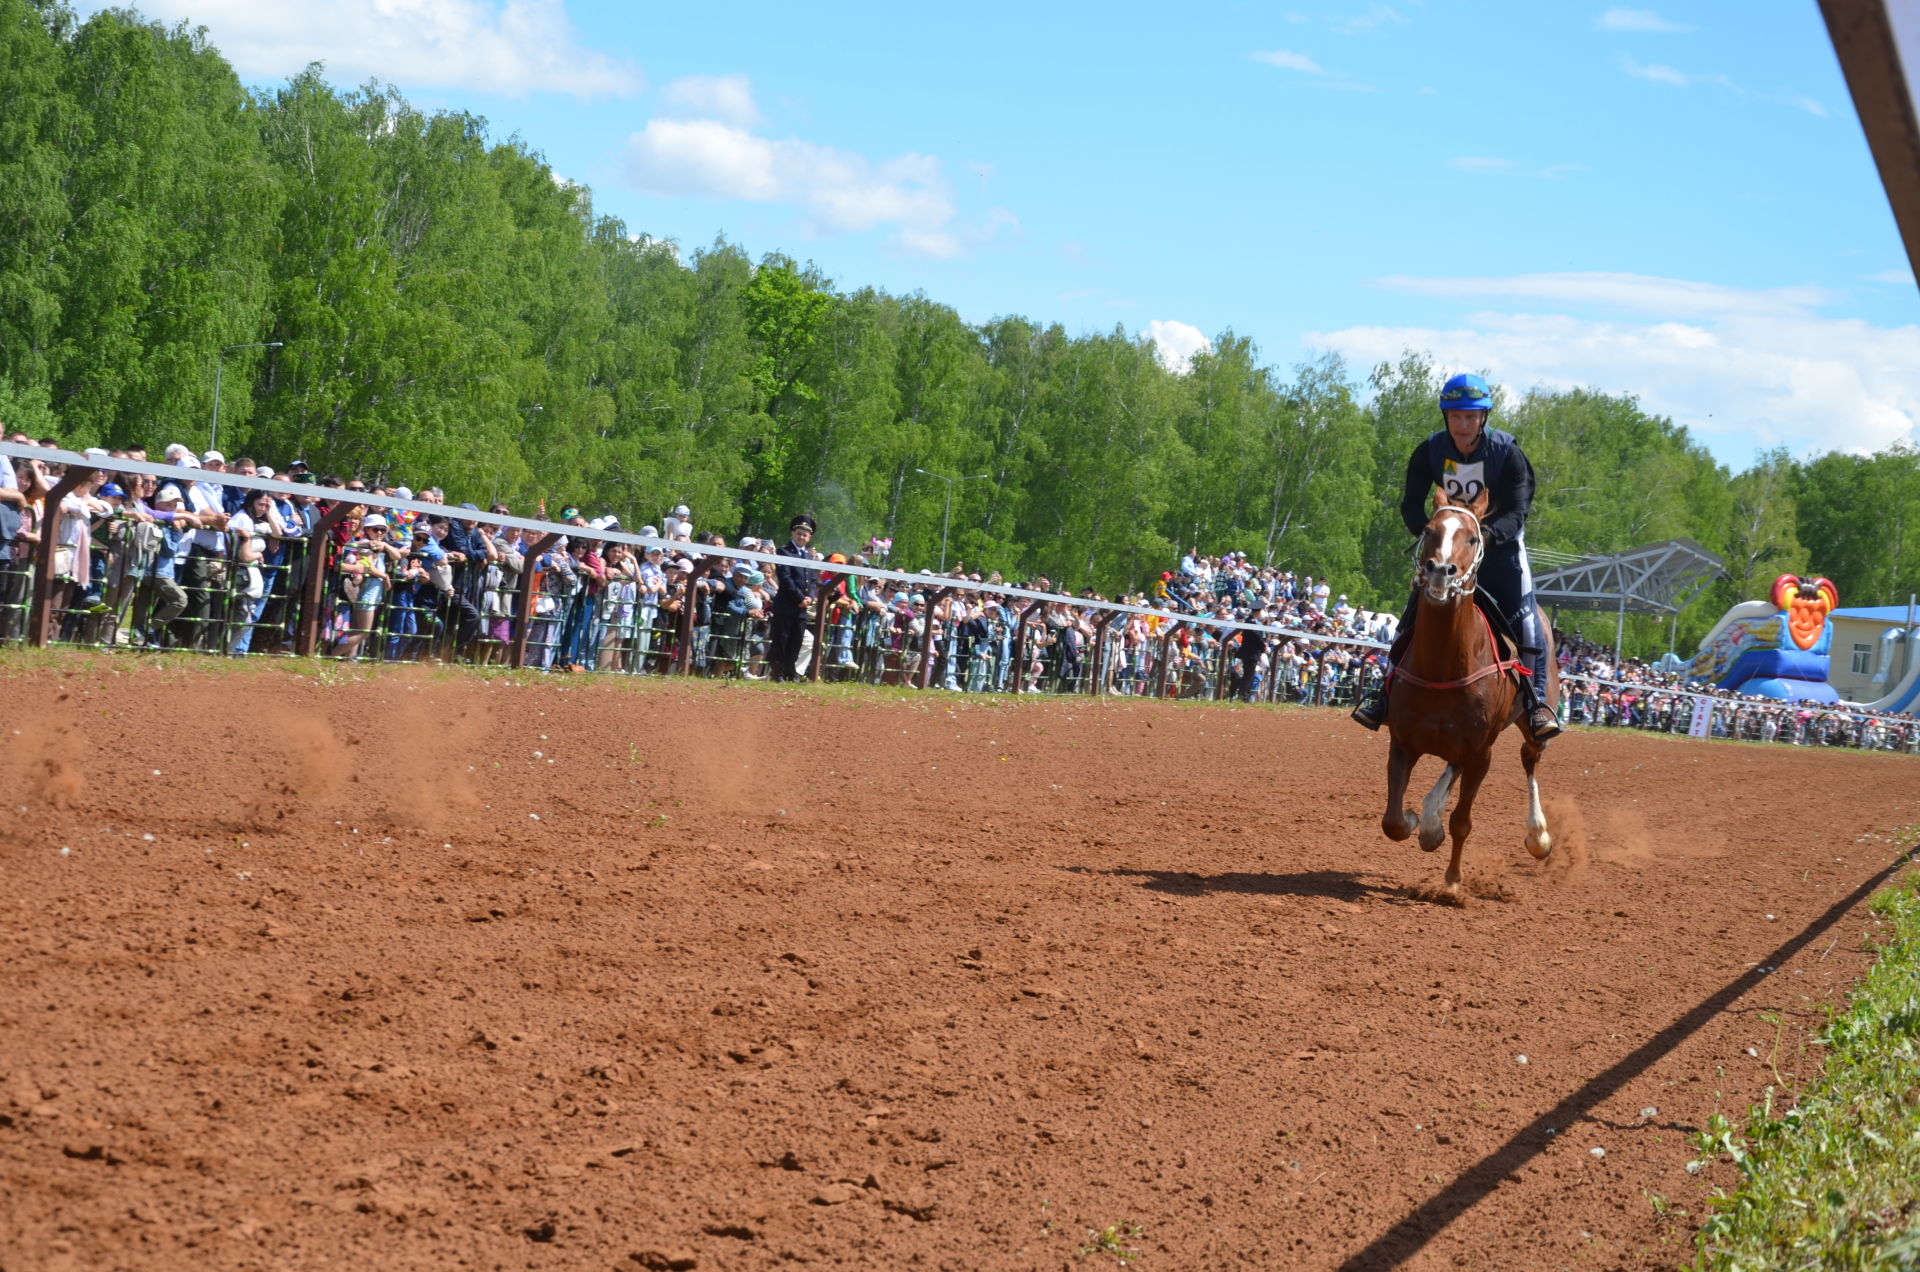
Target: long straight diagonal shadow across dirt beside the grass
{"type": "Point", "coordinates": [1406, 1238]}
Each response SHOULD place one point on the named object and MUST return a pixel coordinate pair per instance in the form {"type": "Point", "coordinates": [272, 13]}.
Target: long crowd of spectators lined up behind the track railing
{"type": "Point", "coordinates": [191, 564]}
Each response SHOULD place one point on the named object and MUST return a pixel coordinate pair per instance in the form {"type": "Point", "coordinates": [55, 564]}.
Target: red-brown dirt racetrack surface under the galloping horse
{"type": "Point", "coordinates": [431, 971]}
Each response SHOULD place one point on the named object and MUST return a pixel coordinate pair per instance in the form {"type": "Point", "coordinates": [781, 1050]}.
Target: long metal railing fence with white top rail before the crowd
{"type": "Point", "coordinates": [343, 597]}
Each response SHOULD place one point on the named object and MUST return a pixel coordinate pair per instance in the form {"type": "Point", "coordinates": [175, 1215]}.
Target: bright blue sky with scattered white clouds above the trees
{"type": "Point", "coordinates": [1673, 203]}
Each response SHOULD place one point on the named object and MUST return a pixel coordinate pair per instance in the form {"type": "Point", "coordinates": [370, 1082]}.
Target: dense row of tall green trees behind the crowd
{"type": "Point", "coordinates": [448, 312]}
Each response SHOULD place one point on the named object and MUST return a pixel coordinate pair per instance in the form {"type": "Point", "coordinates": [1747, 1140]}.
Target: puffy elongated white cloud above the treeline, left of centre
{"type": "Point", "coordinates": [838, 189]}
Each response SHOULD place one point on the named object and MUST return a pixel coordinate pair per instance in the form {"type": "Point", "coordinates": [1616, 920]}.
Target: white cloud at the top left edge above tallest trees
{"type": "Point", "coordinates": [516, 47]}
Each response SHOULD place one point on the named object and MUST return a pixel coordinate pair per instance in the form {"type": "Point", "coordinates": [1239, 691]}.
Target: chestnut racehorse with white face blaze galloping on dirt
{"type": "Point", "coordinates": [1452, 693]}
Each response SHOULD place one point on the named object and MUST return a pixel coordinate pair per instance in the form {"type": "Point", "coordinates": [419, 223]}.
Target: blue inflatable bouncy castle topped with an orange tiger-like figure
{"type": "Point", "coordinates": [1775, 648]}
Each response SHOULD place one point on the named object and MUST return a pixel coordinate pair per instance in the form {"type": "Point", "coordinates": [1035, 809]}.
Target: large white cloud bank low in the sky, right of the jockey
{"type": "Point", "coordinates": [1739, 368]}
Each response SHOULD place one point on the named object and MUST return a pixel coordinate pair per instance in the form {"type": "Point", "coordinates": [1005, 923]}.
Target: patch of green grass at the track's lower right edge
{"type": "Point", "coordinates": [1835, 1181]}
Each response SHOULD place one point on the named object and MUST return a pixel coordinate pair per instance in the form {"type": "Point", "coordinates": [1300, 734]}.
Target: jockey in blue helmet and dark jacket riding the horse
{"type": "Point", "coordinates": [1462, 460]}
